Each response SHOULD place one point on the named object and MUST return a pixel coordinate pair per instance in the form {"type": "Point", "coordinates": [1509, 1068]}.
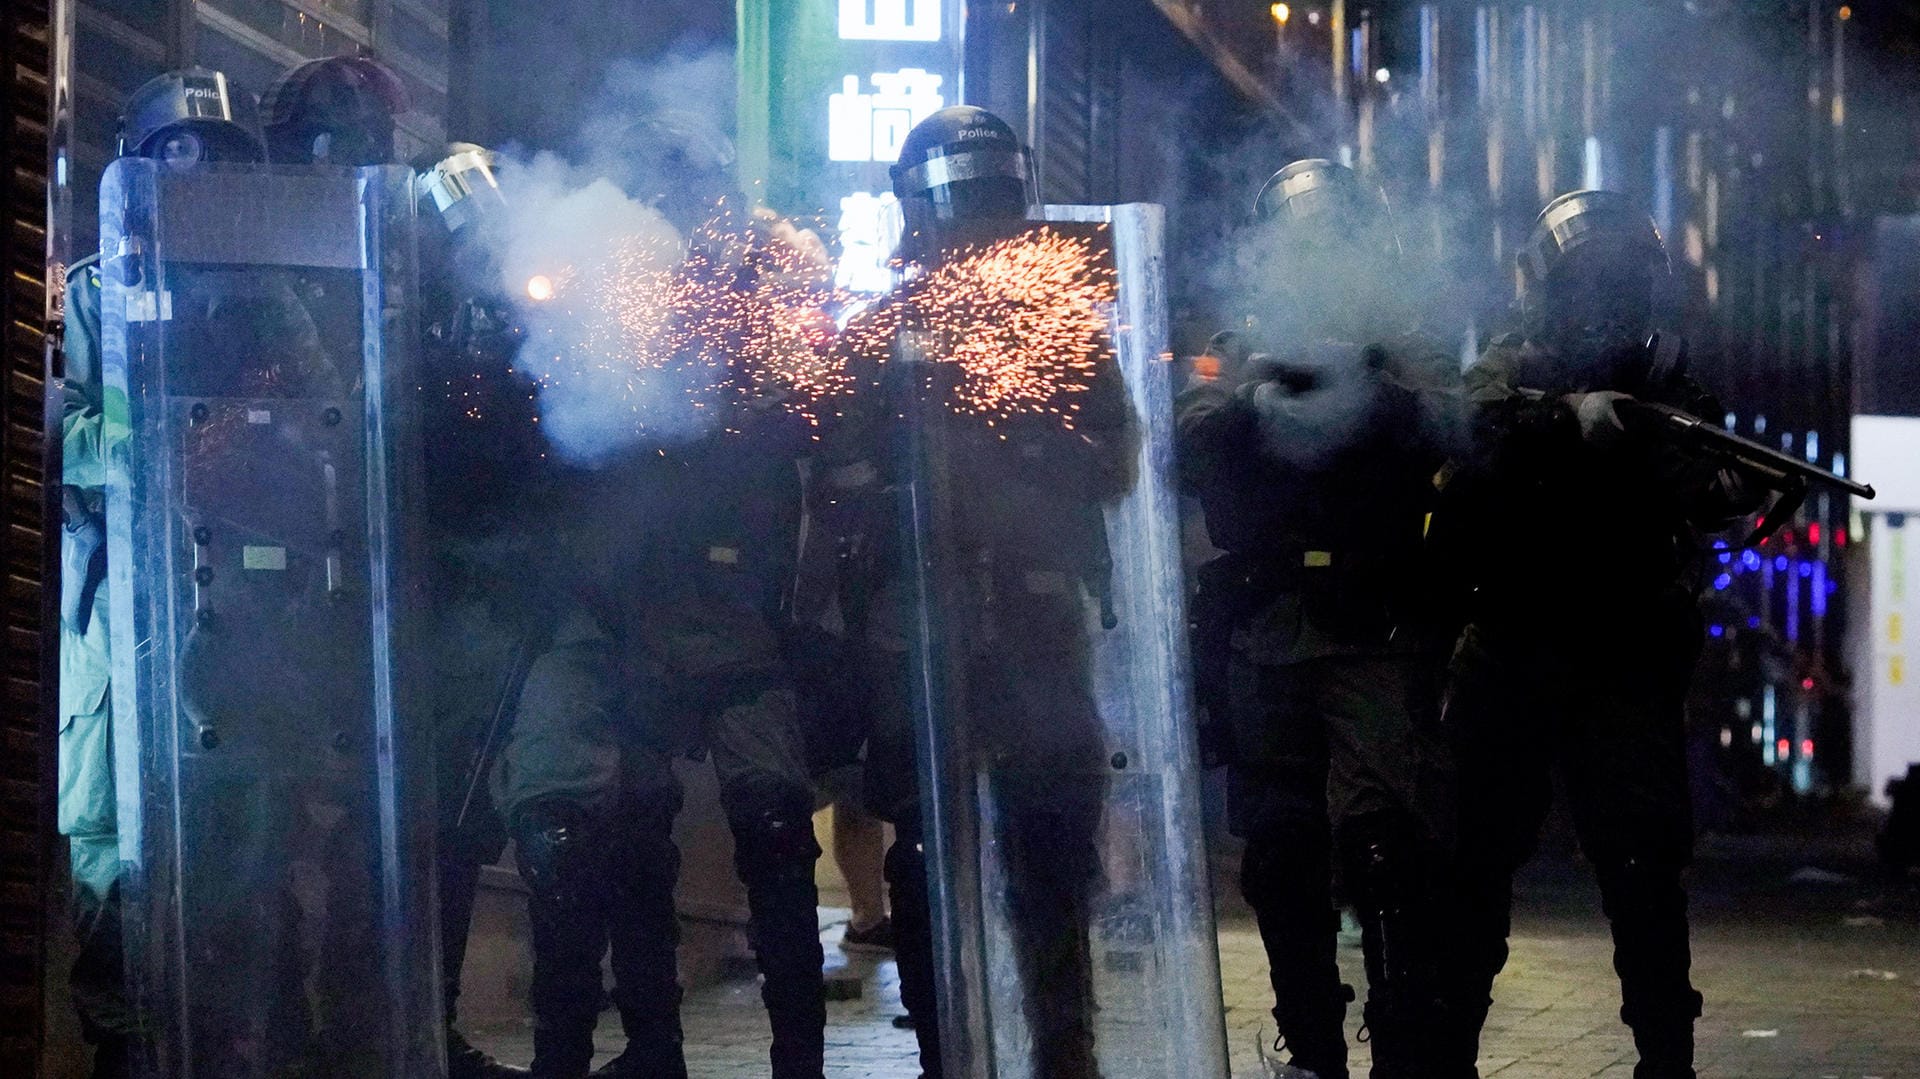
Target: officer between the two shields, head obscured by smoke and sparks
{"type": "Point", "coordinates": [675, 633]}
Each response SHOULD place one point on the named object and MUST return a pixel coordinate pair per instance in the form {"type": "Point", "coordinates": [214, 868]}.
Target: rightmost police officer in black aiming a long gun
{"type": "Point", "coordinates": [1583, 677]}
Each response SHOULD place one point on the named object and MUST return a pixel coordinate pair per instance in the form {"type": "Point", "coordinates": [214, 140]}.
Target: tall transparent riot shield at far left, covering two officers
{"type": "Point", "coordinates": [276, 790]}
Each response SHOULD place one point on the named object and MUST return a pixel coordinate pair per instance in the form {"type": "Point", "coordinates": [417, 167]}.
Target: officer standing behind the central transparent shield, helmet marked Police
{"type": "Point", "coordinates": [1022, 552]}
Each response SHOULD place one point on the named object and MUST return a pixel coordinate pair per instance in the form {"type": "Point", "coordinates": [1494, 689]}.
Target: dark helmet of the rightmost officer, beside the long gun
{"type": "Point", "coordinates": [1589, 277]}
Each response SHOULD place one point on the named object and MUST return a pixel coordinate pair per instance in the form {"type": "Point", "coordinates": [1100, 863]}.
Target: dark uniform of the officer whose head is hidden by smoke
{"type": "Point", "coordinates": [683, 569]}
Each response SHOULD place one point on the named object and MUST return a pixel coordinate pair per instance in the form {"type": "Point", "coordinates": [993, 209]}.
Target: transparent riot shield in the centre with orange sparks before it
{"type": "Point", "coordinates": [1074, 930]}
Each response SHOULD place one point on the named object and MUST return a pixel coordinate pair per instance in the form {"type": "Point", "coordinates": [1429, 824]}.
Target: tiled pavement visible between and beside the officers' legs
{"type": "Point", "coordinates": [1806, 978]}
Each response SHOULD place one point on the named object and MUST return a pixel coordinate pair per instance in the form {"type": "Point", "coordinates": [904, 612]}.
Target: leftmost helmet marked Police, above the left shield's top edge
{"type": "Point", "coordinates": [191, 116]}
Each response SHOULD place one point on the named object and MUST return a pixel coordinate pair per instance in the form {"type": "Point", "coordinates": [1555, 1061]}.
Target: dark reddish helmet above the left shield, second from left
{"type": "Point", "coordinates": [335, 112]}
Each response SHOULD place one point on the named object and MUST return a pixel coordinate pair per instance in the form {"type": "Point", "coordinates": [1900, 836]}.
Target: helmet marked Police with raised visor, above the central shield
{"type": "Point", "coordinates": [961, 164]}
